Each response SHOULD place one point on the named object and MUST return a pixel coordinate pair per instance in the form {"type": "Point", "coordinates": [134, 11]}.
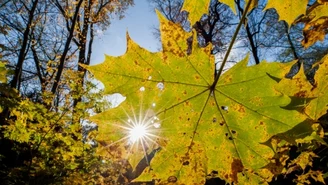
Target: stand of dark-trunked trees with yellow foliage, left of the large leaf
{"type": "Point", "coordinates": [43, 138]}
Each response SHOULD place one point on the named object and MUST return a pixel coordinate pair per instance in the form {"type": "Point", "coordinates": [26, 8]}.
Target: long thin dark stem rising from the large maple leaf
{"type": "Point", "coordinates": [231, 44]}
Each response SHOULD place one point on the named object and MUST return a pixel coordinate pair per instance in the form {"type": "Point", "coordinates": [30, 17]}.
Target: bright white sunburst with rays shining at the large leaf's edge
{"type": "Point", "coordinates": [139, 132]}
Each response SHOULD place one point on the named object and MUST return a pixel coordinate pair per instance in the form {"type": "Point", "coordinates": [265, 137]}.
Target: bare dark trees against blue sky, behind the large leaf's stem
{"type": "Point", "coordinates": [261, 32]}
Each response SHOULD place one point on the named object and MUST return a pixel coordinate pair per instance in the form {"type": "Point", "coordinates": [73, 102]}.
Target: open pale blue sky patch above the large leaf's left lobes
{"type": "Point", "coordinates": [140, 21]}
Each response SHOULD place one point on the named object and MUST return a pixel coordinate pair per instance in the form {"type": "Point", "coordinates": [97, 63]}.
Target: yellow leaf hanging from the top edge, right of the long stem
{"type": "Point", "coordinates": [288, 10]}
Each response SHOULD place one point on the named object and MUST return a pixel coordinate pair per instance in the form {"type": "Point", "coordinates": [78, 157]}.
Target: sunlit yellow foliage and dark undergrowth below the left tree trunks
{"type": "Point", "coordinates": [49, 147]}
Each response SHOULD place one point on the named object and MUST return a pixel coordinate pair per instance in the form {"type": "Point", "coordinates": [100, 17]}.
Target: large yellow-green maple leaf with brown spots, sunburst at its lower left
{"type": "Point", "coordinates": [205, 124]}
